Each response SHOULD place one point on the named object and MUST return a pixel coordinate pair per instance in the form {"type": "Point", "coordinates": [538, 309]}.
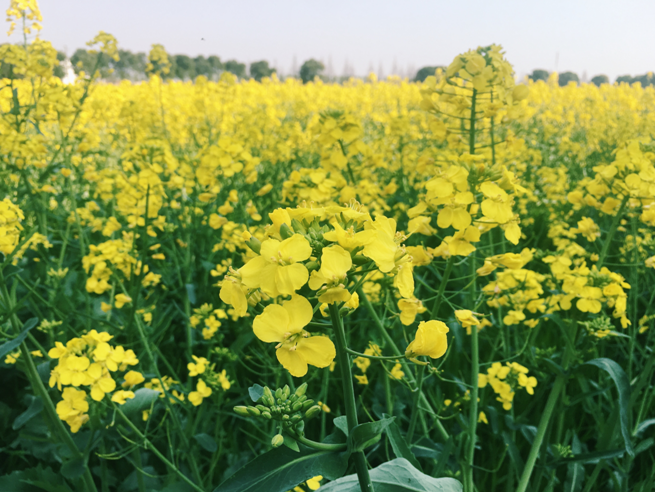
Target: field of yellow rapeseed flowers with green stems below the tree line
{"type": "Point", "coordinates": [243, 286]}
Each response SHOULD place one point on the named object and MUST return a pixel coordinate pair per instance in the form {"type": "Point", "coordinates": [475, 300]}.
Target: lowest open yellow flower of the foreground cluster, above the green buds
{"type": "Point", "coordinates": [296, 349]}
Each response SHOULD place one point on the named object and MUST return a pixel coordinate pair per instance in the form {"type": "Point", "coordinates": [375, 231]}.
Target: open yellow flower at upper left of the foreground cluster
{"type": "Point", "coordinates": [277, 271]}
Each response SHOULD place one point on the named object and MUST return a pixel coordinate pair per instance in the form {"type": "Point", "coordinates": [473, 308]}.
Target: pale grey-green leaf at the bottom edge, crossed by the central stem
{"type": "Point", "coordinates": [396, 476]}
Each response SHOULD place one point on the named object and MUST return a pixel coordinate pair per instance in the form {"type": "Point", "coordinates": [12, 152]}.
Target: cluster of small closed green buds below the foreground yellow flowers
{"type": "Point", "coordinates": [282, 406]}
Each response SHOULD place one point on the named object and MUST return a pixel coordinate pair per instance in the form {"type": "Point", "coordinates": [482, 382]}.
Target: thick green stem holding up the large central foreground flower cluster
{"type": "Point", "coordinates": [343, 362]}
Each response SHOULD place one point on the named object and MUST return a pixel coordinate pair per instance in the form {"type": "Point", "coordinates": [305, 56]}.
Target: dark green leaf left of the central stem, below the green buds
{"type": "Point", "coordinates": [281, 469]}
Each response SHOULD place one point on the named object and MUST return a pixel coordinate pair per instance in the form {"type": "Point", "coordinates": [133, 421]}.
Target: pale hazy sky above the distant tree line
{"type": "Point", "coordinates": [585, 36]}
